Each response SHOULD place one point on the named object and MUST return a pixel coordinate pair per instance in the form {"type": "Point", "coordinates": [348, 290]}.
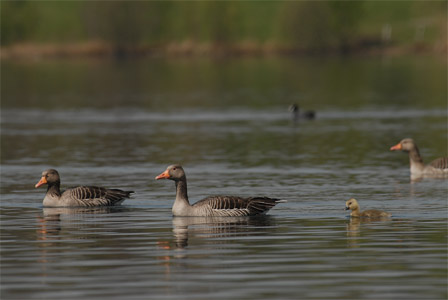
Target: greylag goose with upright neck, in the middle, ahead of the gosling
{"type": "Point", "coordinates": [214, 206]}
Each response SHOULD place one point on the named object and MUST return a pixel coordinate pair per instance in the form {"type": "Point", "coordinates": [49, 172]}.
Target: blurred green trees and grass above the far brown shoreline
{"type": "Point", "coordinates": [307, 25]}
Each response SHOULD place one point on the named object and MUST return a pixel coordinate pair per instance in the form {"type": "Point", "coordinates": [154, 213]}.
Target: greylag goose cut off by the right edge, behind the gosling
{"type": "Point", "coordinates": [438, 167]}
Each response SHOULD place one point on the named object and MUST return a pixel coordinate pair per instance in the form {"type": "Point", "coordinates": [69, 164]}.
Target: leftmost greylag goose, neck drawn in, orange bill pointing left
{"type": "Point", "coordinates": [80, 196]}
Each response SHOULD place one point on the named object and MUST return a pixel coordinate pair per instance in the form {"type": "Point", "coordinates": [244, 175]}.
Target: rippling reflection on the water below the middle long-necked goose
{"type": "Point", "coordinates": [217, 228]}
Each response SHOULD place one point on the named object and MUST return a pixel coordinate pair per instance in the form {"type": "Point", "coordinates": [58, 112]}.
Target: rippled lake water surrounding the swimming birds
{"type": "Point", "coordinates": [120, 124]}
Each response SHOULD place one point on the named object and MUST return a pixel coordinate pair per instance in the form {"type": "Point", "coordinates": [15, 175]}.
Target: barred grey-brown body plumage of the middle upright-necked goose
{"type": "Point", "coordinates": [235, 206]}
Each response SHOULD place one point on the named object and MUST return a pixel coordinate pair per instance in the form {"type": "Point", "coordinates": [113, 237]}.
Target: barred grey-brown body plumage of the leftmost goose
{"type": "Point", "coordinates": [93, 196]}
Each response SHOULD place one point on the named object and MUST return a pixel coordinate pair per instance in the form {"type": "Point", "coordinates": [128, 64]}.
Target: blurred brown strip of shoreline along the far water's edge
{"type": "Point", "coordinates": [97, 49]}
